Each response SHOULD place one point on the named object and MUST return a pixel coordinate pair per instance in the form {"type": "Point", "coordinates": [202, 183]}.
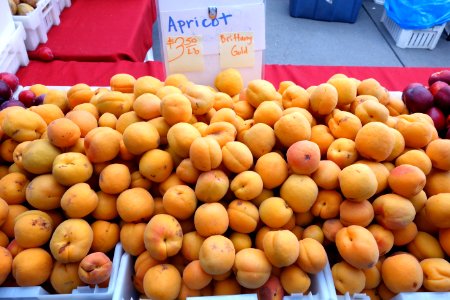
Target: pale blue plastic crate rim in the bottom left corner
{"type": "Point", "coordinates": [82, 292]}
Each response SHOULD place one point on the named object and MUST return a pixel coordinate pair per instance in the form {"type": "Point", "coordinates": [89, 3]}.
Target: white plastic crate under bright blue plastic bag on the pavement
{"type": "Point", "coordinates": [405, 38]}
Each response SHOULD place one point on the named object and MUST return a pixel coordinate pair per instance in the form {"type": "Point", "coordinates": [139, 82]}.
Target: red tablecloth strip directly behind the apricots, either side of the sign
{"type": "Point", "coordinates": [98, 74]}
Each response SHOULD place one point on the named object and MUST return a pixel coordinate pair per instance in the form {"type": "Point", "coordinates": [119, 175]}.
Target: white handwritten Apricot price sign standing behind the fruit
{"type": "Point", "coordinates": [219, 47]}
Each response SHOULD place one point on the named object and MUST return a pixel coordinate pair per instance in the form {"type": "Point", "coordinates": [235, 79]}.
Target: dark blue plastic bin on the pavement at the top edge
{"type": "Point", "coordinates": [326, 10]}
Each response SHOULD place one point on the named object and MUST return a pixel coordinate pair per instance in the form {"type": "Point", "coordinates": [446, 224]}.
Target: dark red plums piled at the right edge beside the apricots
{"type": "Point", "coordinates": [433, 100]}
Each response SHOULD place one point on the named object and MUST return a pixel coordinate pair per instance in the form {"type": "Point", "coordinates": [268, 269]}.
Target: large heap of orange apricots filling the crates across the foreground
{"type": "Point", "coordinates": [228, 189]}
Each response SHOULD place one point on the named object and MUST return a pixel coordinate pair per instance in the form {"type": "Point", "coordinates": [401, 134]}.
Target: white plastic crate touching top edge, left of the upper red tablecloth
{"type": "Point", "coordinates": [38, 23]}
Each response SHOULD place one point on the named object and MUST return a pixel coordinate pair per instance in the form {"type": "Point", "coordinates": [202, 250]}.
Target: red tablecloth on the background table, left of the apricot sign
{"type": "Point", "coordinates": [103, 30]}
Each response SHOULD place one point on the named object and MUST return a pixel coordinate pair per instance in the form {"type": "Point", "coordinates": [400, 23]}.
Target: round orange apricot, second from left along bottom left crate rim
{"type": "Point", "coordinates": [32, 267]}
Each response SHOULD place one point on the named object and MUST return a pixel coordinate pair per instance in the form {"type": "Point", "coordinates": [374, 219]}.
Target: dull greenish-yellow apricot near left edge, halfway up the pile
{"type": "Point", "coordinates": [38, 156]}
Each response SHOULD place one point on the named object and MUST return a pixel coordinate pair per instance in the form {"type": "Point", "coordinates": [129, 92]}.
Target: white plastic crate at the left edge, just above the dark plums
{"type": "Point", "coordinates": [13, 53]}
